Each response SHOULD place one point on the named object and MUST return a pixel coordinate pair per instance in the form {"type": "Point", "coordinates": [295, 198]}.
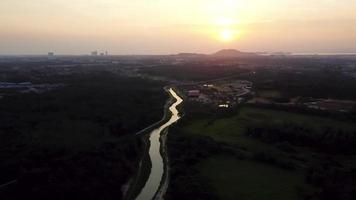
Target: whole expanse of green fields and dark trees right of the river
{"type": "Point", "coordinates": [259, 153]}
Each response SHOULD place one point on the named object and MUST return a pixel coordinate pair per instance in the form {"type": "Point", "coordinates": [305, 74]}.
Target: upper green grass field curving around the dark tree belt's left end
{"type": "Point", "coordinates": [231, 130]}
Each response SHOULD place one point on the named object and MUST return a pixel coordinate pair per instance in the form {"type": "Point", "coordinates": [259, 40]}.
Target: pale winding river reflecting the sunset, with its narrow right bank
{"type": "Point", "coordinates": [157, 182]}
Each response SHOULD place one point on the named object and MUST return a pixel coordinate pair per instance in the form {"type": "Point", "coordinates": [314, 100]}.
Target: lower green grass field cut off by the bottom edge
{"type": "Point", "coordinates": [249, 180]}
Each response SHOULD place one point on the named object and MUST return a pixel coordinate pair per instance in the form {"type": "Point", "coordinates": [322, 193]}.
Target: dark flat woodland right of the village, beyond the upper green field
{"type": "Point", "coordinates": [313, 82]}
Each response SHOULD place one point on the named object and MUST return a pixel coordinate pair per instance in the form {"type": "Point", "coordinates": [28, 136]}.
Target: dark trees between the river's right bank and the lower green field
{"type": "Point", "coordinates": [185, 183]}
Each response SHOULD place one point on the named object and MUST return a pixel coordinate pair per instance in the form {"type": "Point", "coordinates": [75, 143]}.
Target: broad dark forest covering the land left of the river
{"type": "Point", "coordinates": [76, 142]}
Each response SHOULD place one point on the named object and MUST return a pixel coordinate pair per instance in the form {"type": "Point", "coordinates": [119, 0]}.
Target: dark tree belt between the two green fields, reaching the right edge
{"type": "Point", "coordinates": [326, 139]}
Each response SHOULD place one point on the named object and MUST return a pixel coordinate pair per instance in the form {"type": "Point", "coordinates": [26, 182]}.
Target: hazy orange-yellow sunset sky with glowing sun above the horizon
{"type": "Point", "coordinates": [172, 26]}
